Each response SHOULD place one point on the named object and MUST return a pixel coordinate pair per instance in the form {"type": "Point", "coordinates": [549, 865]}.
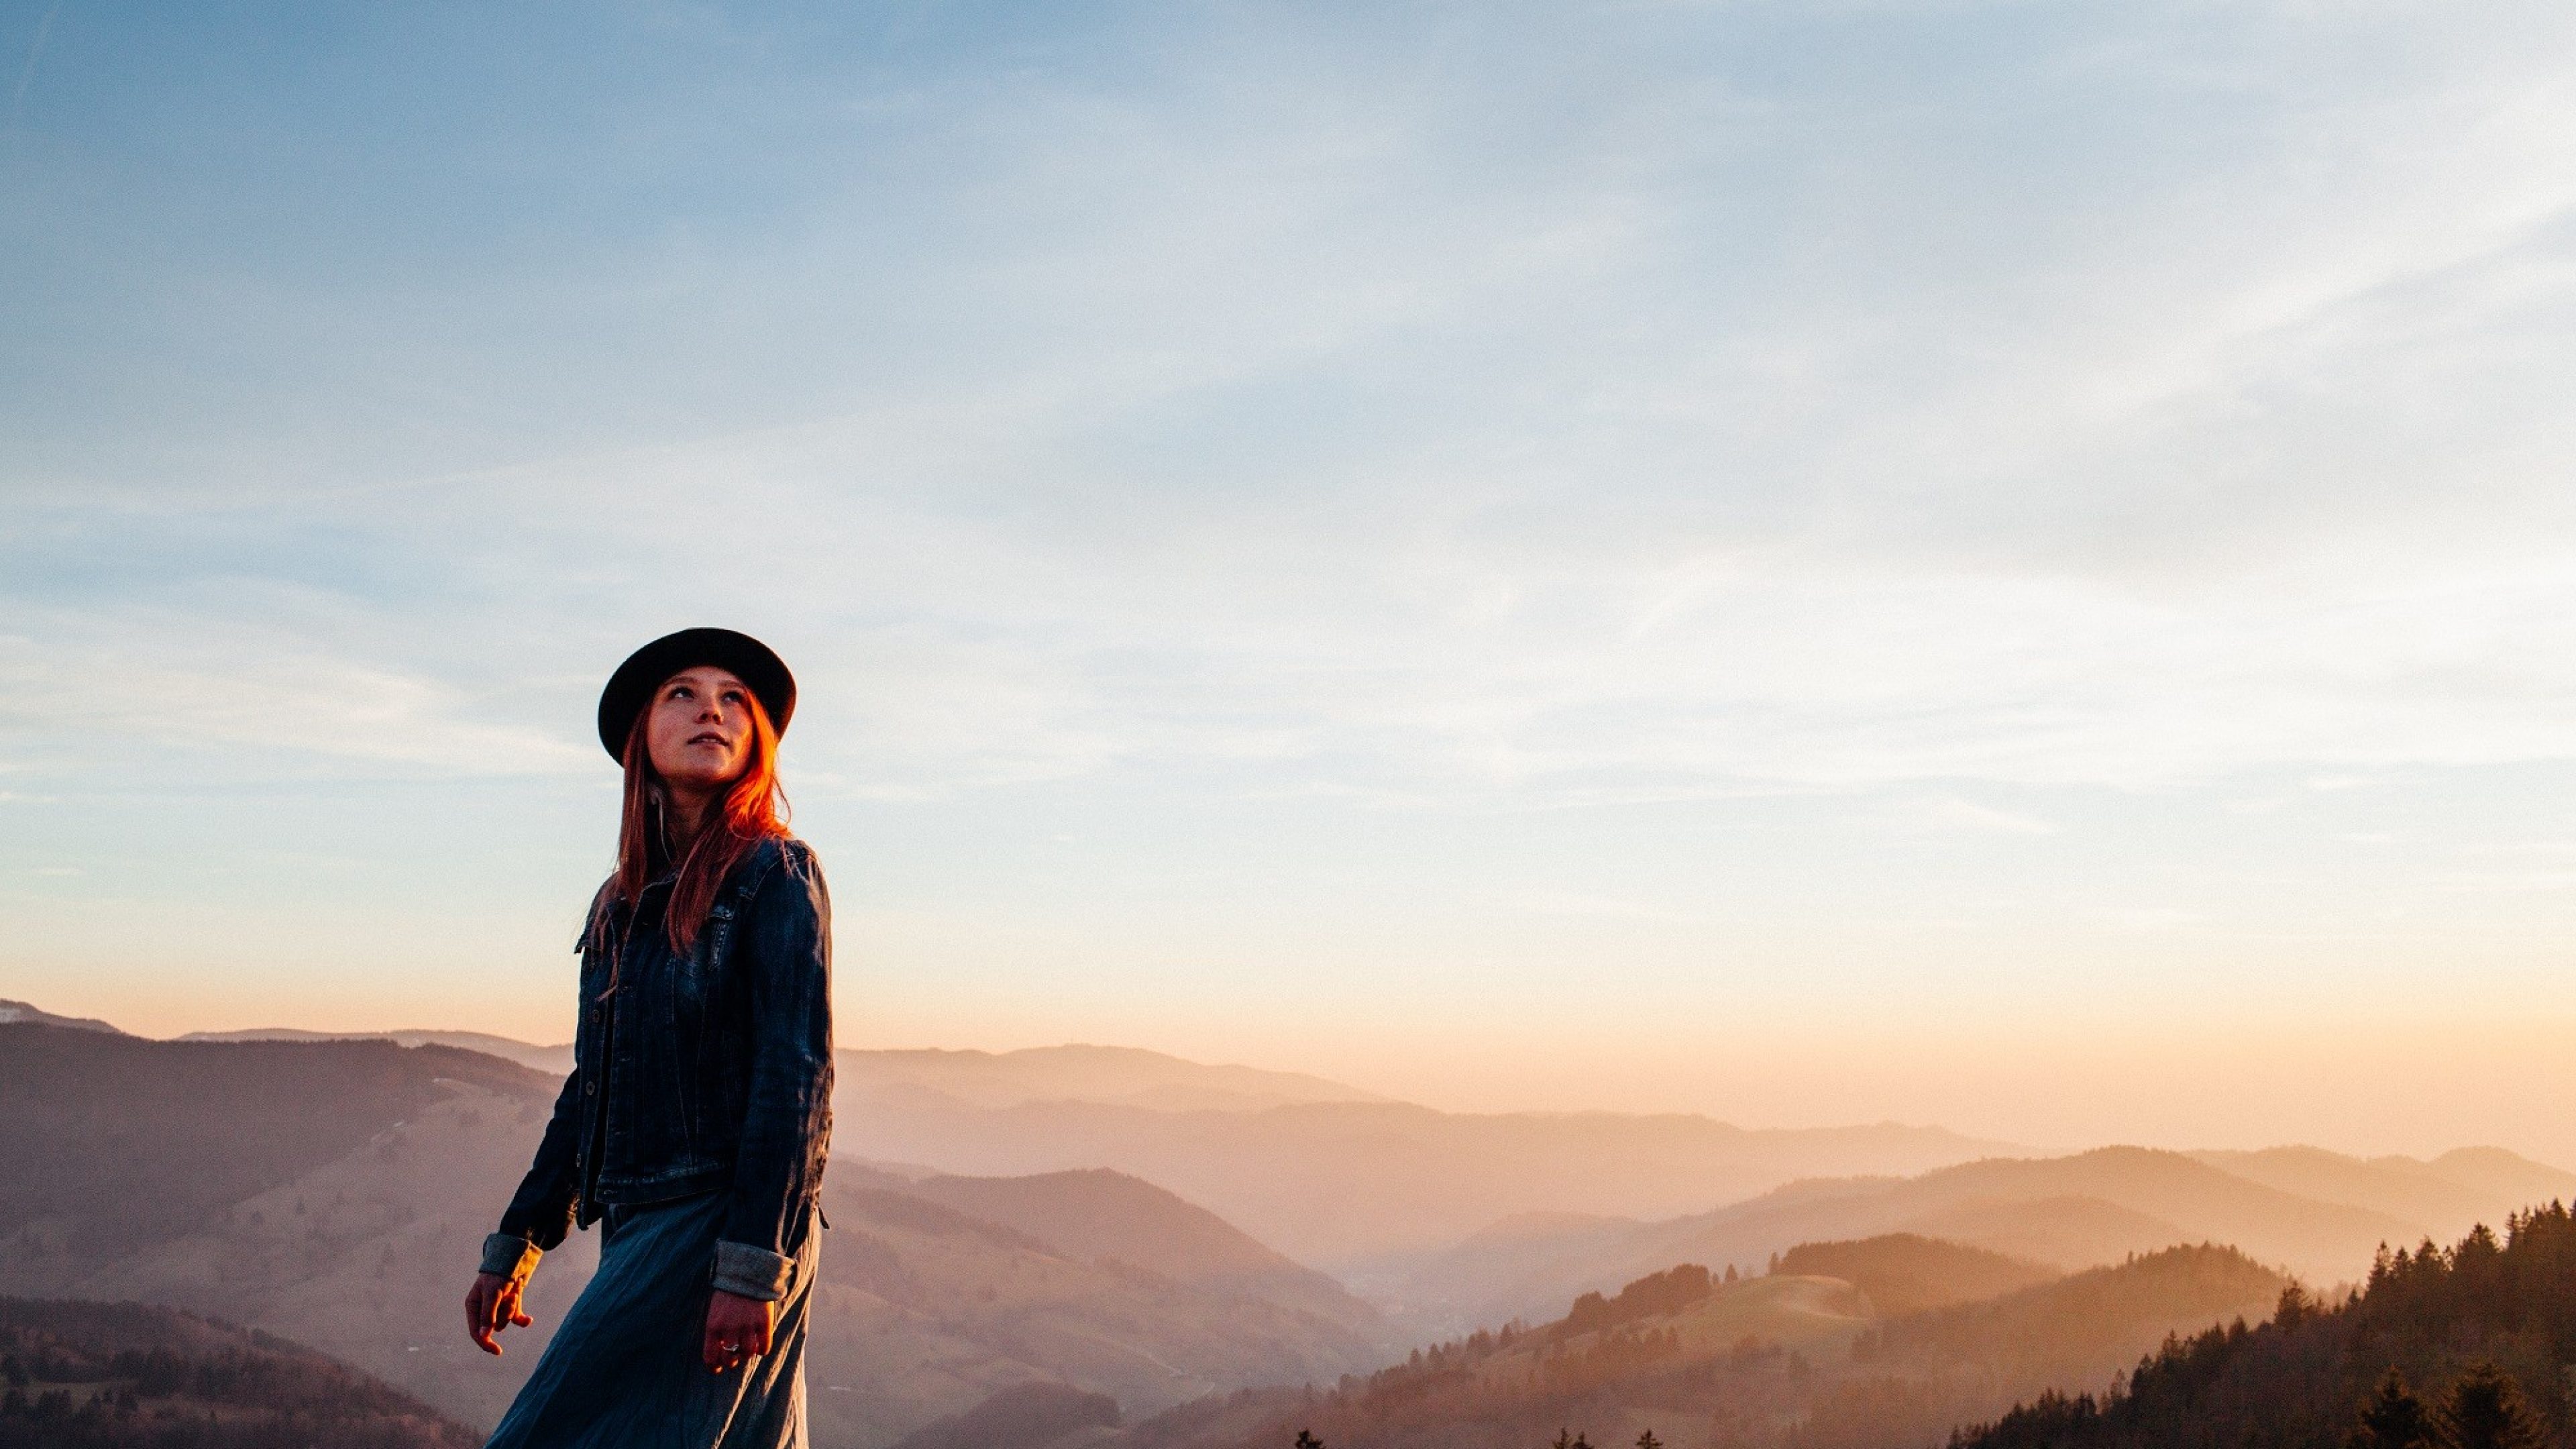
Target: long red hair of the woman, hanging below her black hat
{"type": "Point", "coordinates": [753, 811]}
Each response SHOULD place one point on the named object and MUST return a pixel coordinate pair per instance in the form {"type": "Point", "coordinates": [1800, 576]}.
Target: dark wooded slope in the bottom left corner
{"type": "Point", "coordinates": [79, 1376]}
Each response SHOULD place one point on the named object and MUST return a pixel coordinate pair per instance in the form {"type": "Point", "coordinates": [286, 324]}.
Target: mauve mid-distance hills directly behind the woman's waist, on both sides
{"type": "Point", "coordinates": [336, 1195]}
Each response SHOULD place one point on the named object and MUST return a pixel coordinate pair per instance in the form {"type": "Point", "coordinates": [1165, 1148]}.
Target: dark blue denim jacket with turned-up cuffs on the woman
{"type": "Point", "coordinates": [697, 1074]}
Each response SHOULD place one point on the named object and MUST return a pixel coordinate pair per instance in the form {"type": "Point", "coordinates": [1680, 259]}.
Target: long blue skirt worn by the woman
{"type": "Point", "coordinates": [627, 1368]}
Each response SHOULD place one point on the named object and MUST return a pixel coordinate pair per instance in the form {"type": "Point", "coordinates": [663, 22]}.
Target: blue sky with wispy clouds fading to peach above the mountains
{"type": "Point", "coordinates": [1980, 563]}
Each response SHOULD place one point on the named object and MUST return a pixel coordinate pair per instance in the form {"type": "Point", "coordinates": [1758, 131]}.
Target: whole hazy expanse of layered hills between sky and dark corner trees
{"type": "Point", "coordinates": [1094, 1247]}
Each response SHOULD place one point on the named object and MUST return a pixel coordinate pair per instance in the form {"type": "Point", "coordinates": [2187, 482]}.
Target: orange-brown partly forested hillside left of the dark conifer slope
{"type": "Point", "coordinates": [1784, 1360]}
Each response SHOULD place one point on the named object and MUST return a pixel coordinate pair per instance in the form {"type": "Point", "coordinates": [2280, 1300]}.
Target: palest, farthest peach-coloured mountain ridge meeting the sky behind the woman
{"type": "Point", "coordinates": [1323, 1172]}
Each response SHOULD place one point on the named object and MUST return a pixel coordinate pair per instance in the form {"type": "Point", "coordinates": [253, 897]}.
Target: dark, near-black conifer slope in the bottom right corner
{"type": "Point", "coordinates": [2441, 1350]}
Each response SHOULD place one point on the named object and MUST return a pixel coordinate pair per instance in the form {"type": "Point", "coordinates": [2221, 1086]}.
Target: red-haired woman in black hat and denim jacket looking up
{"type": "Point", "coordinates": [699, 1102]}
